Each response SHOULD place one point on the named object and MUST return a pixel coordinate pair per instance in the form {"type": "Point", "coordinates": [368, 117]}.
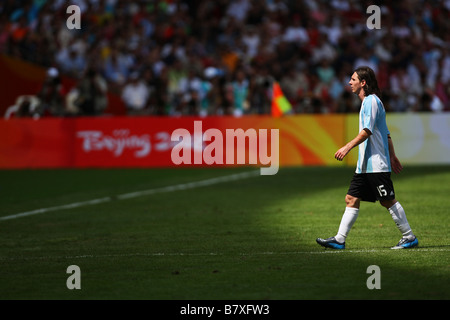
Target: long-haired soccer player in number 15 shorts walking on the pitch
{"type": "Point", "coordinates": [372, 178]}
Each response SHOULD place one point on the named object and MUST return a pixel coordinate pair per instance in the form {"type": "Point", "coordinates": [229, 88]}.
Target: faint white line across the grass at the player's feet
{"type": "Point", "coordinates": [162, 254]}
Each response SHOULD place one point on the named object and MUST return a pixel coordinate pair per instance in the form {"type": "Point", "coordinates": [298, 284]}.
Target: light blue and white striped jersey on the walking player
{"type": "Point", "coordinates": [374, 152]}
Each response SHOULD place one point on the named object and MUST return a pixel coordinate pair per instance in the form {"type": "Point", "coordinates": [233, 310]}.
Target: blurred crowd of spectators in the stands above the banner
{"type": "Point", "coordinates": [219, 57]}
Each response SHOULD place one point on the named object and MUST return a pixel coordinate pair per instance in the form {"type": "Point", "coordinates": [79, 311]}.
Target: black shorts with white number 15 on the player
{"type": "Point", "coordinates": [372, 186]}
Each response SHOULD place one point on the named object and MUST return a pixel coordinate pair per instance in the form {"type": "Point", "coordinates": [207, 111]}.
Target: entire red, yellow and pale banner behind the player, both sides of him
{"type": "Point", "coordinates": [146, 142]}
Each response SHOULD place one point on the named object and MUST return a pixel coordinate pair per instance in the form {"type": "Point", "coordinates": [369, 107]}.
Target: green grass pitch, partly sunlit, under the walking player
{"type": "Point", "coordinates": [245, 239]}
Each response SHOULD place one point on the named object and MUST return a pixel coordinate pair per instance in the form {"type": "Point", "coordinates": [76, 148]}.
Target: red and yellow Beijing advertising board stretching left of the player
{"type": "Point", "coordinates": [164, 141]}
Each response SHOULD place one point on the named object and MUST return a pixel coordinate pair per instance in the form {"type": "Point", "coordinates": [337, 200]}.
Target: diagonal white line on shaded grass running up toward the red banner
{"type": "Point", "coordinates": [184, 186]}
